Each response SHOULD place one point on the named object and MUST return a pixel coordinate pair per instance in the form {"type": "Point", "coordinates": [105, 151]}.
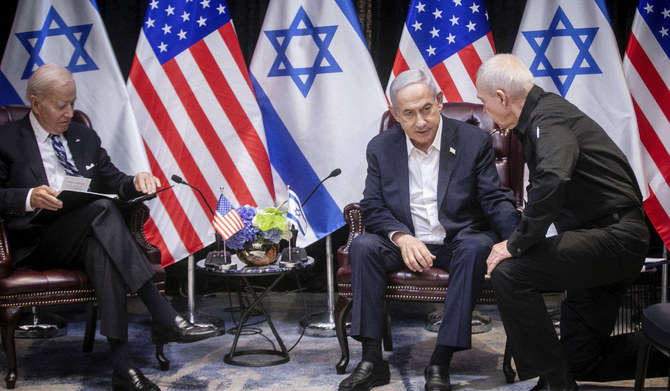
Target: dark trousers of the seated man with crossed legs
{"type": "Point", "coordinates": [95, 238]}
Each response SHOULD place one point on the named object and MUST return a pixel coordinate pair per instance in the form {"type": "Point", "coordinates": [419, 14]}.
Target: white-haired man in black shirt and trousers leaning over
{"type": "Point", "coordinates": [582, 183]}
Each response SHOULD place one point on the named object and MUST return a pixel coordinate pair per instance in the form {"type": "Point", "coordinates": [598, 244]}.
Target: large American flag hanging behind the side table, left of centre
{"type": "Point", "coordinates": [199, 119]}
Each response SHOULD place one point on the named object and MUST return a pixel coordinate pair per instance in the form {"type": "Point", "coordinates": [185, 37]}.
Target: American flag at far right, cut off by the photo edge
{"type": "Point", "coordinates": [647, 69]}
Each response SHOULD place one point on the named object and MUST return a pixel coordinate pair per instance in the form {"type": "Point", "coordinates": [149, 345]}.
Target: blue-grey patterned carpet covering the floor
{"type": "Point", "coordinates": [58, 363]}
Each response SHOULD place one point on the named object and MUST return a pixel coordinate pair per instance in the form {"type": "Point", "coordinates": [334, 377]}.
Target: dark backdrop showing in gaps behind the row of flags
{"type": "Point", "coordinates": [382, 23]}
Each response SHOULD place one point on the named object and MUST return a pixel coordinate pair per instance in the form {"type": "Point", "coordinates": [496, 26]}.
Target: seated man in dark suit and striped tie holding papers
{"type": "Point", "coordinates": [36, 153]}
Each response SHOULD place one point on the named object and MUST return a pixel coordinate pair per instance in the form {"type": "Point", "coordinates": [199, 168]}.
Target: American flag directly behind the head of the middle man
{"type": "Point", "coordinates": [448, 40]}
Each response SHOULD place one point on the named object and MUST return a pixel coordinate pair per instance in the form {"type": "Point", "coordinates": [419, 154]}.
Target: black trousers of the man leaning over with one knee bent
{"type": "Point", "coordinates": [592, 266]}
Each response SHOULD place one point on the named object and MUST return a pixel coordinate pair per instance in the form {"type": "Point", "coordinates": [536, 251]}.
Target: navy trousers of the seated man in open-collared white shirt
{"type": "Point", "coordinates": [373, 256]}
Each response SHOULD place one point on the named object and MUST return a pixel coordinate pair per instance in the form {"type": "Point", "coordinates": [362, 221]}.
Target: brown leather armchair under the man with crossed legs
{"type": "Point", "coordinates": [32, 288]}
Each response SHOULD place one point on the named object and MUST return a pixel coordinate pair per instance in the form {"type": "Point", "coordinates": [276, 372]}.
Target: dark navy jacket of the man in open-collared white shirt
{"type": "Point", "coordinates": [470, 196]}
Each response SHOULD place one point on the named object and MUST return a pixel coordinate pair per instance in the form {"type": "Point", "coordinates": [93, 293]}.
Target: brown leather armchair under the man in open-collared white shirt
{"type": "Point", "coordinates": [430, 285]}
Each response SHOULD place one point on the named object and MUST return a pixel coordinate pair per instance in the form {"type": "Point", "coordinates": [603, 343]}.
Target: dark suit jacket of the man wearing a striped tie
{"type": "Point", "coordinates": [21, 169]}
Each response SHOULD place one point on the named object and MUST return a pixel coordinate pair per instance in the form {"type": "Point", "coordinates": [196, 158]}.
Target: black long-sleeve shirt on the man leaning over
{"type": "Point", "coordinates": [577, 173]}
